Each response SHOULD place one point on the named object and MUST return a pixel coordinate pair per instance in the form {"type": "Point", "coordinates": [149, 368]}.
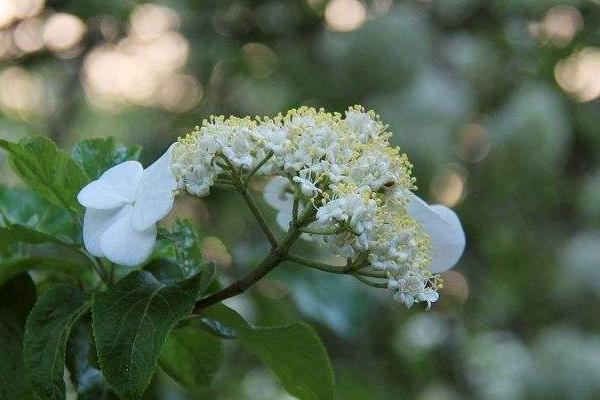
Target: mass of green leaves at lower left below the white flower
{"type": "Point", "coordinates": [143, 320]}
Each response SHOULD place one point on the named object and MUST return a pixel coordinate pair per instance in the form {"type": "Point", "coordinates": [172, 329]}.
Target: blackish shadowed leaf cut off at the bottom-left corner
{"type": "Point", "coordinates": [17, 297]}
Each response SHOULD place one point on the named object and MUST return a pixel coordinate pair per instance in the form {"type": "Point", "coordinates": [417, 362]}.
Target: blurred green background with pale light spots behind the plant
{"type": "Point", "coordinates": [495, 102]}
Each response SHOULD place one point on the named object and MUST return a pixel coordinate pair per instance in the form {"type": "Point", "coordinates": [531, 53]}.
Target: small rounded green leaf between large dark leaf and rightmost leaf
{"type": "Point", "coordinates": [191, 356]}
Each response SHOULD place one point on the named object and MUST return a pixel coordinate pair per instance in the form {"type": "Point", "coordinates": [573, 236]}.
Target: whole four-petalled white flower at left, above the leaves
{"type": "Point", "coordinates": [123, 207]}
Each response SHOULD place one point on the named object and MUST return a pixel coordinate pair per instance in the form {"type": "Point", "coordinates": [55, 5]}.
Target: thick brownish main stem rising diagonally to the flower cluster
{"type": "Point", "coordinates": [272, 260]}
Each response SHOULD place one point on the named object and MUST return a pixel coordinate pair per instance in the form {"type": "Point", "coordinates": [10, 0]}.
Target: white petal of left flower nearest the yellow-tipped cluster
{"type": "Point", "coordinates": [155, 194]}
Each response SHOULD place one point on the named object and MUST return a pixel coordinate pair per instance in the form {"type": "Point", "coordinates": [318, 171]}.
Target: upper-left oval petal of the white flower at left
{"type": "Point", "coordinates": [115, 187]}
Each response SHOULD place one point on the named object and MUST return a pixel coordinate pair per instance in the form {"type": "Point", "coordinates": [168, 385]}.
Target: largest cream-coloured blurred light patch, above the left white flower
{"type": "Point", "coordinates": [145, 67]}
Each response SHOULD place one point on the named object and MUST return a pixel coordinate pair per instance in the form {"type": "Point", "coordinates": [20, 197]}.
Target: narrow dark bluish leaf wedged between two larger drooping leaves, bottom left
{"type": "Point", "coordinates": [87, 379]}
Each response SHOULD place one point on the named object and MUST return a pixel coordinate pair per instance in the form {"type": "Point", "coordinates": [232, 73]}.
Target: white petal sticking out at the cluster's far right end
{"type": "Point", "coordinates": [444, 229]}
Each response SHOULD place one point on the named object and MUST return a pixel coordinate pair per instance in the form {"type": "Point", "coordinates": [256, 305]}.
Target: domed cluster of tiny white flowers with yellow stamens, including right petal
{"type": "Point", "coordinates": [344, 167]}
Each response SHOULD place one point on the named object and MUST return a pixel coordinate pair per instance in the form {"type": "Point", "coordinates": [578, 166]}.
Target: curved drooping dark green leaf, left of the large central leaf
{"type": "Point", "coordinates": [46, 333]}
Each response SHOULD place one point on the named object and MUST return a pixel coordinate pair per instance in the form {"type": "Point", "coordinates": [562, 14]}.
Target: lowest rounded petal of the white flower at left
{"type": "Point", "coordinates": [122, 244]}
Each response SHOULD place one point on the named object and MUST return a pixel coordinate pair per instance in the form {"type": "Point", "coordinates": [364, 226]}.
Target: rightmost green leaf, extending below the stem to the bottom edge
{"type": "Point", "coordinates": [293, 352]}
